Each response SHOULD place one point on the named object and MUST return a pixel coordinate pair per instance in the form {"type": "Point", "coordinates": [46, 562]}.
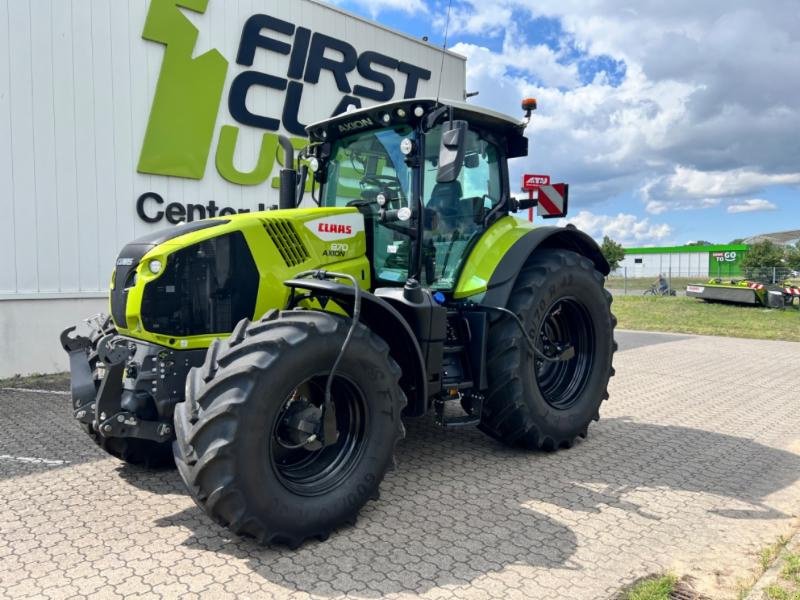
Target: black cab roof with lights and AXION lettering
{"type": "Point", "coordinates": [403, 111]}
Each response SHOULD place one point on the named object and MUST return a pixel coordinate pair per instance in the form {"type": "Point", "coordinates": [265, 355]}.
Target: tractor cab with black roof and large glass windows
{"type": "Point", "coordinates": [428, 178]}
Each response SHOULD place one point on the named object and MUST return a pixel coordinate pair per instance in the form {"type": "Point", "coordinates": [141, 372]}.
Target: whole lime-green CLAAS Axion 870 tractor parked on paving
{"type": "Point", "coordinates": [276, 353]}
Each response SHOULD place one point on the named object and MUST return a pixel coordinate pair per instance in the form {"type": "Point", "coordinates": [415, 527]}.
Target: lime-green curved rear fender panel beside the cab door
{"type": "Point", "coordinates": [487, 254]}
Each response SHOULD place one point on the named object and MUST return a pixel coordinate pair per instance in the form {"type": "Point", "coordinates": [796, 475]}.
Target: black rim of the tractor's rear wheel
{"type": "Point", "coordinates": [567, 322]}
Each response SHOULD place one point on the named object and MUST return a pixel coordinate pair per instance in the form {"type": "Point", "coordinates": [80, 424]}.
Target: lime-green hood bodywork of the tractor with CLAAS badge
{"type": "Point", "coordinates": [349, 257]}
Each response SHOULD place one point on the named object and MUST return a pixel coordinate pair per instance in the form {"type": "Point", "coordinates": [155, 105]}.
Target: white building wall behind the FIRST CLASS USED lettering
{"type": "Point", "coordinates": [76, 86]}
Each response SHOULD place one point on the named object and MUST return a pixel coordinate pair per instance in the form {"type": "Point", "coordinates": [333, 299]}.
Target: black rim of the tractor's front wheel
{"type": "Point", "coordinates": [312, 470]}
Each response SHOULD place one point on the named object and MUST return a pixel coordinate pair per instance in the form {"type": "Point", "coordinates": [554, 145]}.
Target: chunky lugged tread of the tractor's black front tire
{"type": "Point", "coordinates": [208, 467]}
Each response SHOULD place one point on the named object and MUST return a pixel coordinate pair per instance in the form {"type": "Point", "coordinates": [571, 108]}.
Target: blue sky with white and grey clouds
{"type": "Point", "coordinates": [672, 122]}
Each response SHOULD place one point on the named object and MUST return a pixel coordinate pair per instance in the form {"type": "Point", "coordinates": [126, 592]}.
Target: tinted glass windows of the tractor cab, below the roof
{"type": "Point", "coordinates": [370, 169]}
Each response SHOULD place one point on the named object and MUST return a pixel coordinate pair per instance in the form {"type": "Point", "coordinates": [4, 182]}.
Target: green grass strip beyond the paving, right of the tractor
{"type": "Point", "coordinates": [689, 315]}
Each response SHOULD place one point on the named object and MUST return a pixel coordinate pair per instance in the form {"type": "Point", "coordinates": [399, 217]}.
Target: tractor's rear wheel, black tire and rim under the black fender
{"type": "Point", "coordinates": [535, 404]}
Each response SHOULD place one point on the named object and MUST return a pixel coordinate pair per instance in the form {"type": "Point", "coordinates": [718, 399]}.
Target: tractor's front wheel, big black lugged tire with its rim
{"type": "Point", "coordinates": [232, 449]}
